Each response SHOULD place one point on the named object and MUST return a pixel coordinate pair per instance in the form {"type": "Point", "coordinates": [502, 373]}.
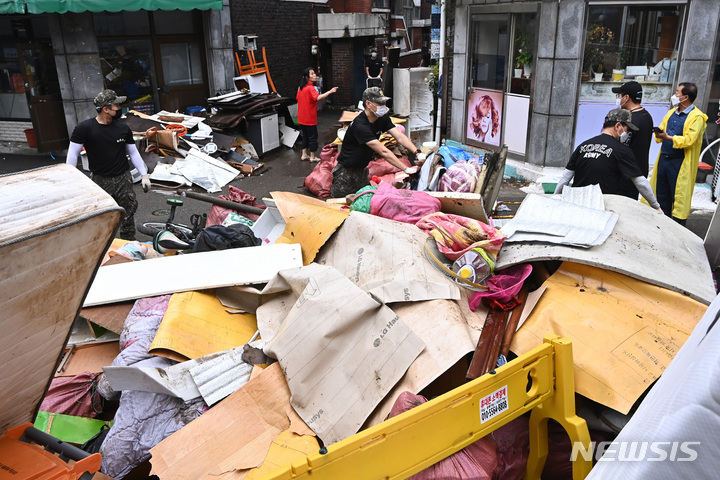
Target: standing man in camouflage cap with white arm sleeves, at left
{"type": "Point", "coordinates": [108, 143]}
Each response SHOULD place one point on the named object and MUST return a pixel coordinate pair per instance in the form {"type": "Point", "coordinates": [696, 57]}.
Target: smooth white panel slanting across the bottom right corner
{"type": "Point", "coordinates": [681, 410]}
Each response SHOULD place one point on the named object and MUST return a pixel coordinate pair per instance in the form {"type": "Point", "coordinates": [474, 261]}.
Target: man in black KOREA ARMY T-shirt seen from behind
{"type": "Point", "coordinates": [607, 161]}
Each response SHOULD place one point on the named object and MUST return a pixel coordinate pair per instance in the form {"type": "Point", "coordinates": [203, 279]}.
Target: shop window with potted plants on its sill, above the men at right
{"type": "Point", "coordinates": [632, 42]}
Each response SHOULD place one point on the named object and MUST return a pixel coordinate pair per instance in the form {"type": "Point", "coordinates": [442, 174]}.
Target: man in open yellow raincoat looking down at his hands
{"type": "Point", "coordinates": [681, 134]}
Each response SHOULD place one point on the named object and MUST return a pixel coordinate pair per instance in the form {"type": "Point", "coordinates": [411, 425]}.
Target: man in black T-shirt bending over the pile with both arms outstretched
{"type": "Point", "coordinates": [361, 142]}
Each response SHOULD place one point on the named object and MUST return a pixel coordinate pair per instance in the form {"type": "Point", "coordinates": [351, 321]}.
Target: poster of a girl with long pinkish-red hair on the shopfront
{"type": "Point", "coordinates": [484, 117]}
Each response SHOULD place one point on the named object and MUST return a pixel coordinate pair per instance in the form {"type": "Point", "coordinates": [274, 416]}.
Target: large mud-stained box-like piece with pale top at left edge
{"type": "Point", "coordinates": [55, 225]}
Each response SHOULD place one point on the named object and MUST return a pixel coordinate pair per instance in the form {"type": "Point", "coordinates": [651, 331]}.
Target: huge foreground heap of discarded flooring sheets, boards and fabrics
{"type": "Point", "coordinates": [350, 310]}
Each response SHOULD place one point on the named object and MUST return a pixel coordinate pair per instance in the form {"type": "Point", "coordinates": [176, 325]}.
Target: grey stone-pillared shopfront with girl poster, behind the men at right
{"type": "Point", "coordinates": [577, 51]}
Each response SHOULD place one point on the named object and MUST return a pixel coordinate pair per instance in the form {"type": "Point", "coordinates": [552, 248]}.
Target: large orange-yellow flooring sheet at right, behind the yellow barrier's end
{"type": "Point", "coordinates": [624, 331]}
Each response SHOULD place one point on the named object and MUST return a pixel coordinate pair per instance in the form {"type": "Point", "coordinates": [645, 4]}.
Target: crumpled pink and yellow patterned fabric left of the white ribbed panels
{"type": "Point", "coordinates": [456, 234]}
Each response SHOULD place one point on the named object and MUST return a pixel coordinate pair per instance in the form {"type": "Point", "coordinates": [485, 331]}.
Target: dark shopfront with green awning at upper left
{"type": "Point", "coordinates": [56, 56]}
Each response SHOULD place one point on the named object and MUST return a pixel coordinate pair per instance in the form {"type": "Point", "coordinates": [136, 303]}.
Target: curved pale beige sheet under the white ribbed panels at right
{"type": "Point", "coordinates": [645, 244]}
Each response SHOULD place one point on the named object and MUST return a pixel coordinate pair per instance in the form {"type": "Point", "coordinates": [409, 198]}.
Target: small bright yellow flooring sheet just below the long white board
{"type": "Point", "coordinates": [196, 324]}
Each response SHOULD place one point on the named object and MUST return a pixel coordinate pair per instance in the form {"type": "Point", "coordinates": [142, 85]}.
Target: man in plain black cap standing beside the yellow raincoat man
{"type": "Point", "coordinates": [629, 96]}
